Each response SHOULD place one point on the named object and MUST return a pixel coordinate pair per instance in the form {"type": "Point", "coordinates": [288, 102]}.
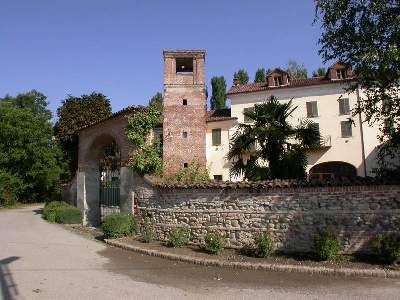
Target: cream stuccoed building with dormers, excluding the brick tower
{"type": "Point", "coordinates": [349, 147]}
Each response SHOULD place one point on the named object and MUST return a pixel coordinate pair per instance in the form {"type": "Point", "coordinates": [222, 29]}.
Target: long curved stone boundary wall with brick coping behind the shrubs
{"type": "Point", "coordinates": [292, 215]}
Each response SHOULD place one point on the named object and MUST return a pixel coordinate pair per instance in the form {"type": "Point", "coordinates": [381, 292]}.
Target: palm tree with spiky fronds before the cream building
{"type": "Point", "coordinates": [270, 147]}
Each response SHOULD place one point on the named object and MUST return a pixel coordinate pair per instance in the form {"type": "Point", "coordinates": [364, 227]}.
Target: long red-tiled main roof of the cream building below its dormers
{"type": "Point", "coordinates": [263, 86]}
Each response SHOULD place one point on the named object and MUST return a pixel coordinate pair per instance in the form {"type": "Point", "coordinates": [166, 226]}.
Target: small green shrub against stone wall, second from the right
{"type": "Point", "coordinates": [327, 246]}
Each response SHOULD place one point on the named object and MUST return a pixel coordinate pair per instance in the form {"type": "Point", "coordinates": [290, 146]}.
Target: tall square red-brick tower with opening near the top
{"type": "Point", "coordinates": [185, 101]}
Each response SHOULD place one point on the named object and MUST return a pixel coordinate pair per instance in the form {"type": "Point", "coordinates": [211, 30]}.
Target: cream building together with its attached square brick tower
{"type": "Point", "coordinates": [191, 134]}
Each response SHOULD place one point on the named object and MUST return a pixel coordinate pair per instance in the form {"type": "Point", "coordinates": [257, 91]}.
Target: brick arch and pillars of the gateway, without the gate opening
{"type": "Point", "coordinates": [92, 141]}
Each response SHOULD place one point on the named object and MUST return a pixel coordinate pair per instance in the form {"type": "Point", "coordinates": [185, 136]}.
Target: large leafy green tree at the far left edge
{"type": "Point", "coordinates": [30, 159]}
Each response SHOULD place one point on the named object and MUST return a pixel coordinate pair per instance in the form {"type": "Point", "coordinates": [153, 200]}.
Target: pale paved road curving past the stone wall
{"type": "Point", "coordinates": [45, 261]}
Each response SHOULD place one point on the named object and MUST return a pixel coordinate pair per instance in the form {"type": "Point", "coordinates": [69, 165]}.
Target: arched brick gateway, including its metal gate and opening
{"type": "Point", "coordinates": [104, 182]}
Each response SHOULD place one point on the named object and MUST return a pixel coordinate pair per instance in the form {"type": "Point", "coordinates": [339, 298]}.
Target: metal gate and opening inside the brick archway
{"type": "Point", "coordinates": [110, 164]}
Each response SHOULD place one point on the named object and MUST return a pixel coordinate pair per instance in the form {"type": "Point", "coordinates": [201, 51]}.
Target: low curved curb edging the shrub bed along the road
{"type": "Point", "coordinates": [379, 273]}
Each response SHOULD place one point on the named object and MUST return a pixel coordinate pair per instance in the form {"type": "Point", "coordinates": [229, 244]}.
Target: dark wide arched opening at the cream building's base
{"type": "Point", "coordinates": [332, 170]}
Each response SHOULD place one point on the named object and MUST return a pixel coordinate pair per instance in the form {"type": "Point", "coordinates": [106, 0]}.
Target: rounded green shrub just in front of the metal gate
{"type": "Point", "coordinates": [118, 225]}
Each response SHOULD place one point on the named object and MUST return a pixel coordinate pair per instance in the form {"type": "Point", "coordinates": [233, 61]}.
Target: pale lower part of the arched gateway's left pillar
{"type": "Point", "coordinates": [88, 196]}
